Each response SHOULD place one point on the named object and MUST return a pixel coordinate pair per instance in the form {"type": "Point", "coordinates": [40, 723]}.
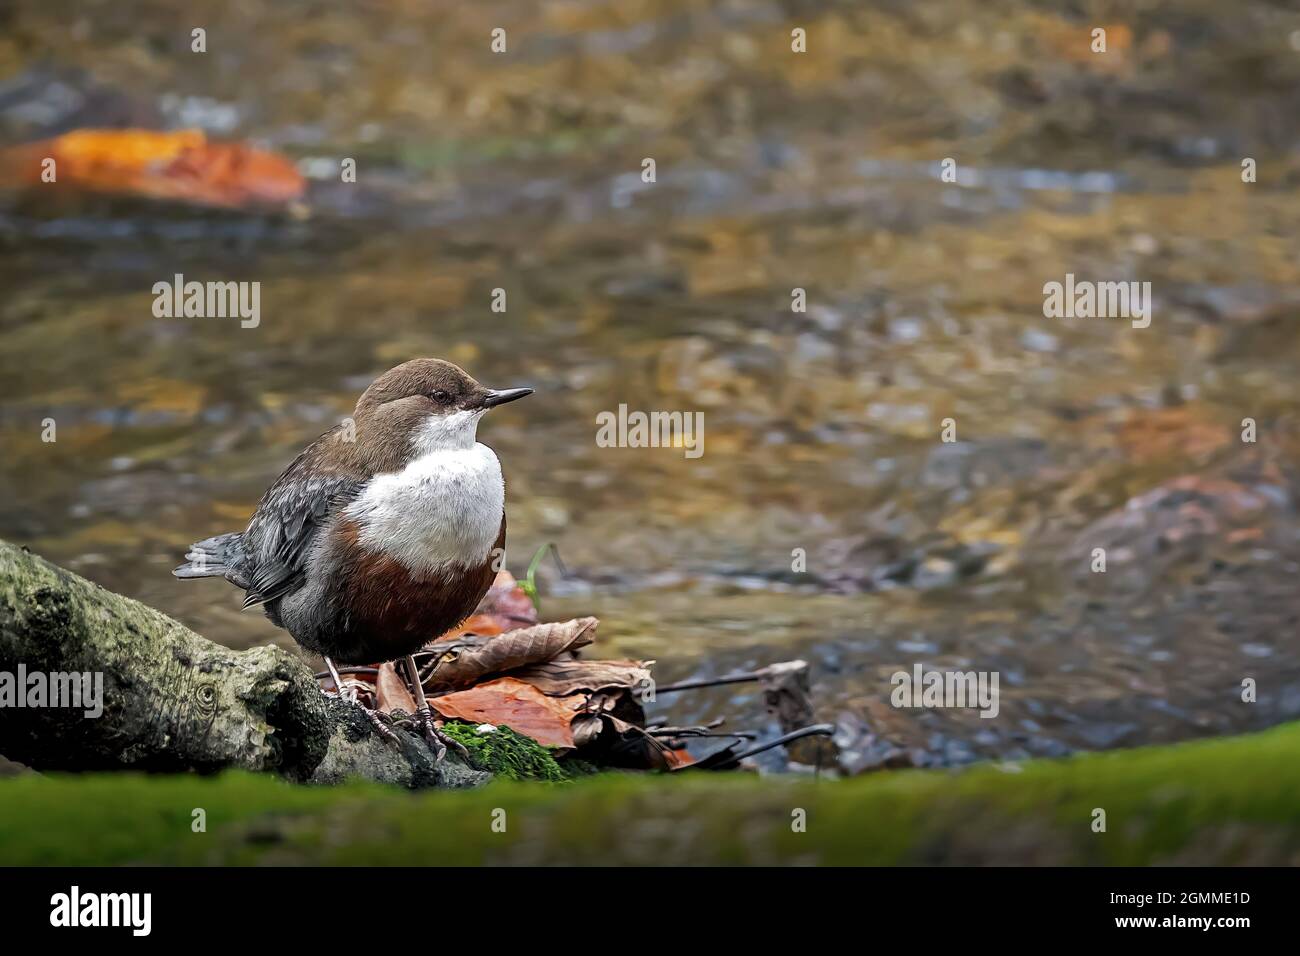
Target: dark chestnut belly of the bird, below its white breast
{"type": "Point", "coordinates": [383, 612]}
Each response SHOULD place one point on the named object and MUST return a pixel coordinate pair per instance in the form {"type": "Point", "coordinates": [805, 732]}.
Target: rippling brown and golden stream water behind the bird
{"type": "Point", "coordinates": [775, 171]}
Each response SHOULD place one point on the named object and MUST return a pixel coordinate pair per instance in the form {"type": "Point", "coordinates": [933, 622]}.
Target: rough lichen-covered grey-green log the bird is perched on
{"type": "Point", "coordinates": [174, 700]}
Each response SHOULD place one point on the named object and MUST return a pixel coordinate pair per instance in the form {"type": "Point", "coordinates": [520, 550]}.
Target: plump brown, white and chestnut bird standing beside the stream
{"type": "Point", "coordinates": [366, 550]}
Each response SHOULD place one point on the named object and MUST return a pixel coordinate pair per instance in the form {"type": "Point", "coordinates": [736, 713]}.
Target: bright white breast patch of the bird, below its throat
{"type": "Point", "coordinates": [443, 509]}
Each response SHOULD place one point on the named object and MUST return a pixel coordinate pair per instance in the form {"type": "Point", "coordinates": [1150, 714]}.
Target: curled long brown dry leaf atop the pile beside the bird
{"type": "Point", "coordinates": [463, 661]}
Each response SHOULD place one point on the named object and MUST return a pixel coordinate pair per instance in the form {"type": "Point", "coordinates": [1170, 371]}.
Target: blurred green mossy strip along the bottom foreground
{"type": "Point", "coordinates": [1216, 802]}
